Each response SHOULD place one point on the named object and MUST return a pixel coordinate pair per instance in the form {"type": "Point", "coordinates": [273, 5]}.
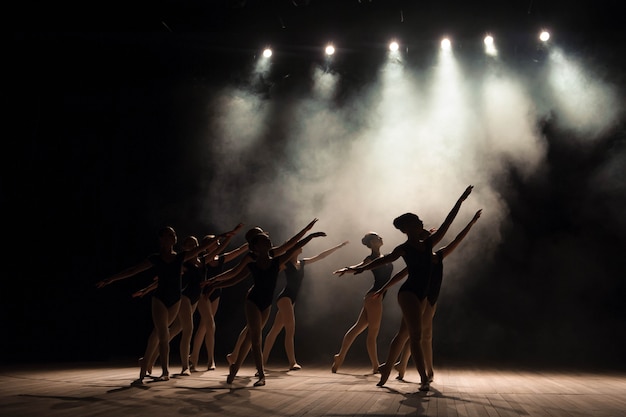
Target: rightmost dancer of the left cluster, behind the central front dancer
{"type": "Point", "coordinates": [285, 316]}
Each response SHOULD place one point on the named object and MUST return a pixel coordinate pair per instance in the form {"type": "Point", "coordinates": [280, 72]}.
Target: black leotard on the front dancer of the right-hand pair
{"type": "Point", "coordinates": [418, 262]}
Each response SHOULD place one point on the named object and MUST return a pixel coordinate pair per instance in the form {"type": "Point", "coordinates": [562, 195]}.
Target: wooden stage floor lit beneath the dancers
{"type": "Point", "coordinates": [106, 390]}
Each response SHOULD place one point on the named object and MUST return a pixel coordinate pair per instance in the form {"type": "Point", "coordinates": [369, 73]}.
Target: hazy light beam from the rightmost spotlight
{"type": "Point", "coordinates": [584, 103]}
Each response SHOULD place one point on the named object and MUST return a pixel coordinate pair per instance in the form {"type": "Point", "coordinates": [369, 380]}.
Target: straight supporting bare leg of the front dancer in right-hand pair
{"type": "Point", "coordinates": [412, 311]}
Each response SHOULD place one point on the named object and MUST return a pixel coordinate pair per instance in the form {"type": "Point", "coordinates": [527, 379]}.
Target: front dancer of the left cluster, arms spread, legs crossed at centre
{"type": "Point", "coordinates": [264, 269]}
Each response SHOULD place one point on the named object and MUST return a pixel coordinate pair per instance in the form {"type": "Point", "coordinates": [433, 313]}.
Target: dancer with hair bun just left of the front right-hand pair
{"type": "Point", "coordinates": [372, 310]}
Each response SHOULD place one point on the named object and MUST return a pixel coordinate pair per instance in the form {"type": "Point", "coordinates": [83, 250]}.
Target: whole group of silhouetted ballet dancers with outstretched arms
{"type": "Point", "coordinates": [192, 279]}
